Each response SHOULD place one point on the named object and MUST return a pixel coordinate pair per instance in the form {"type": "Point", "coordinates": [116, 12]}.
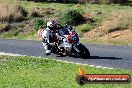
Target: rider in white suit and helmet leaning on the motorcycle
{"type": "Point", "coordinates": [49, 35]}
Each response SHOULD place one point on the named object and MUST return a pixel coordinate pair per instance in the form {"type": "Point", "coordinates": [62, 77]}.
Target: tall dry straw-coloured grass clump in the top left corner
{"type": "Point", "coordinates": [10, 11]}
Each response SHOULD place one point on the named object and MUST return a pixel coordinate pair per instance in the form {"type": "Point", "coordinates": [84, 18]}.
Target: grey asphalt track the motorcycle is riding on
{"type": "Point", "coordinates": [101, 55]}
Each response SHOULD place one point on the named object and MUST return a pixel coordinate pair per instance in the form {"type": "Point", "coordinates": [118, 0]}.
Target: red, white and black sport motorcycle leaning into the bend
{"type": "Point", "coordinates": [68, 44]}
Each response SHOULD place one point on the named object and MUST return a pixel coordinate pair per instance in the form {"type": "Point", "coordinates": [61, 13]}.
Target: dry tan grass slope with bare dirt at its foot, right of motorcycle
{"type": "Point", "coordinates": [116, 27]}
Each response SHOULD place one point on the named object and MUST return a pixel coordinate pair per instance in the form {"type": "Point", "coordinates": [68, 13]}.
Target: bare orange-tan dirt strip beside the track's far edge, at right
{"type": "Point", "coordinates": [122, 37]}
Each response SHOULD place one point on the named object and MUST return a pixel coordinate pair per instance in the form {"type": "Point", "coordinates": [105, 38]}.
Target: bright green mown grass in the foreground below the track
{"type": "Point", "coordinates": [31, 72]}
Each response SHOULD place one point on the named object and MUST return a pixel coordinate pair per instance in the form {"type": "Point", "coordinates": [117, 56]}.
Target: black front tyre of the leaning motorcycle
{"type": "Point", "coordinates": [84, 52]}
